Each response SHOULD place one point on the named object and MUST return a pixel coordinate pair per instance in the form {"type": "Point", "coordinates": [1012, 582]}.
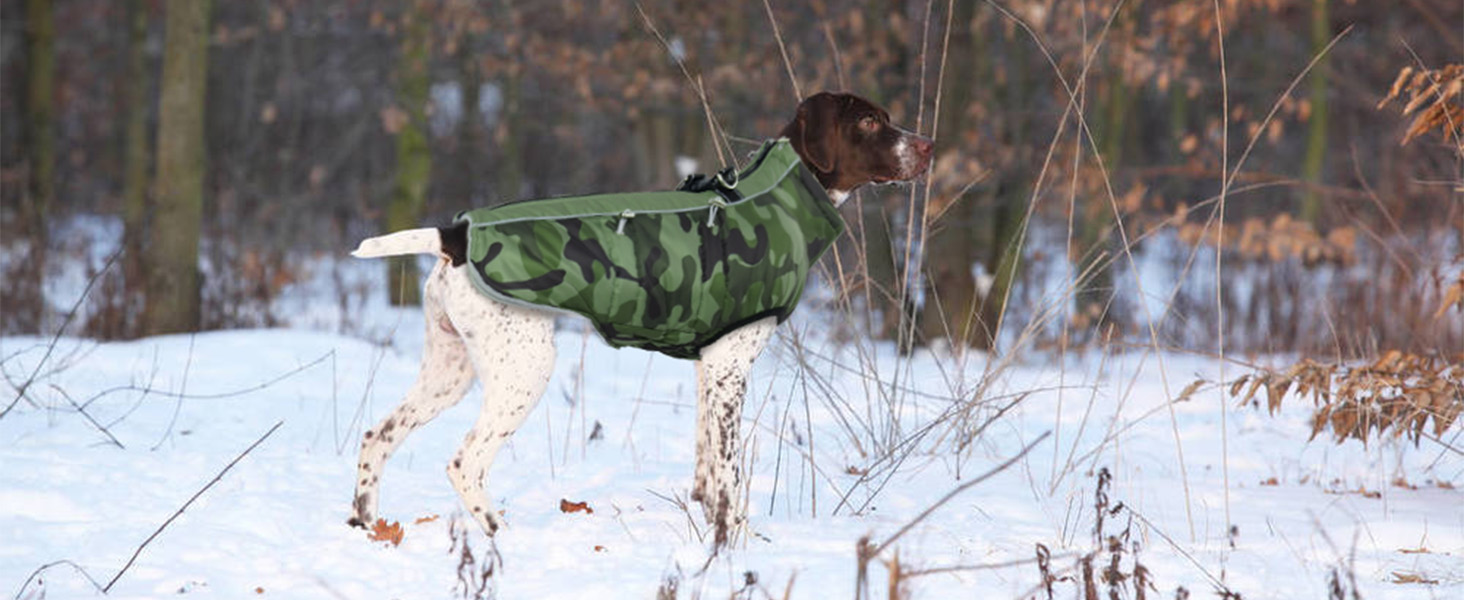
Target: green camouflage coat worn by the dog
{"type": "Point", "coordinates": [667, 271]}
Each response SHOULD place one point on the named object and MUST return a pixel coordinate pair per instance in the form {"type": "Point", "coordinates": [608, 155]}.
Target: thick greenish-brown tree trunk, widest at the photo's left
{"type": "Point", "coordinates": [172, 257]}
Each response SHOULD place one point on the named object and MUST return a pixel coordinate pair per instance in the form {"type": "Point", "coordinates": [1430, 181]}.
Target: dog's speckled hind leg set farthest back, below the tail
{"type": "Point", "coordinates": [443, 381]}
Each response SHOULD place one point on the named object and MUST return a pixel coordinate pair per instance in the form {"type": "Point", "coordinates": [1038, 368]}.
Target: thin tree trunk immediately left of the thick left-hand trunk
{"type": "Point", "coordinates": [135, 160]}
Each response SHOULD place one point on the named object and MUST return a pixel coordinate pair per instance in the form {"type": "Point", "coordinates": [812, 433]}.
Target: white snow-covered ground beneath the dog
{"type": "Point", "coordinates": [616, 432]}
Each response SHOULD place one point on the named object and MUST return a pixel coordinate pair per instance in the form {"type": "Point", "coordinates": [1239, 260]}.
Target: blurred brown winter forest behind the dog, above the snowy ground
{"type": "Point", "coordinates": [1077, 143]}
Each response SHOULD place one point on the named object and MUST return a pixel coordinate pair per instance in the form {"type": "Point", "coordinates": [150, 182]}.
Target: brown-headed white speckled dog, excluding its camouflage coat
{"type": "Point", "coordinates": [845, 140]}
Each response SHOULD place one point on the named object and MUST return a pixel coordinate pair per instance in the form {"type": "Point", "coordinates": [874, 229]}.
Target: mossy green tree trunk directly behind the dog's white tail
{"type": "Point", "coordinates": [414, 156]}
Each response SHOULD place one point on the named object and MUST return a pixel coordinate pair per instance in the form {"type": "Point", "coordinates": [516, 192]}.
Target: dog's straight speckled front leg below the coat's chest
{"type": "Point", "coordinates": [721, 387]}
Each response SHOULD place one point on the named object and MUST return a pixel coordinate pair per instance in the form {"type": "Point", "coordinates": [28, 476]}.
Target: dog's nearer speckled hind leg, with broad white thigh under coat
{"type": "Point", "coordinates": [513, 350]}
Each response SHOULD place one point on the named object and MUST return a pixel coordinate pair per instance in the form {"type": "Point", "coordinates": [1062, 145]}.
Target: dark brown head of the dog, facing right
{"type": "Point", "coordinates": [850, 141]}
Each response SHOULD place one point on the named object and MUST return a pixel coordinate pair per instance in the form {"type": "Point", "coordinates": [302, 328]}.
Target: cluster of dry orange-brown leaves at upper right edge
{"type": "Point", "coordinates": [1440, 93]}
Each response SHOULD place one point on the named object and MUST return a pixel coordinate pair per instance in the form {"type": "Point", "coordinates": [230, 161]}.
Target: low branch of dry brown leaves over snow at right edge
{"type": "Point", "coordinates": [1397, 394]}
